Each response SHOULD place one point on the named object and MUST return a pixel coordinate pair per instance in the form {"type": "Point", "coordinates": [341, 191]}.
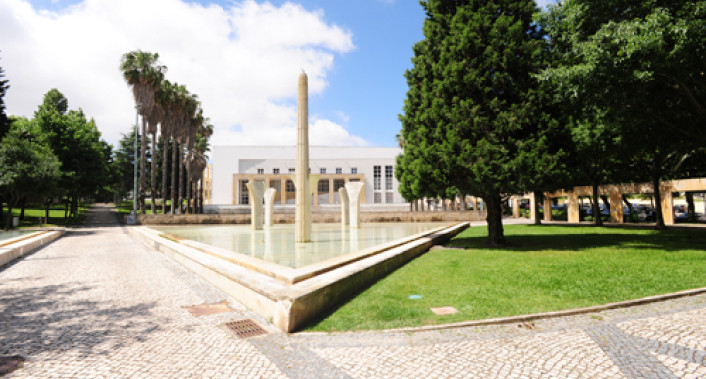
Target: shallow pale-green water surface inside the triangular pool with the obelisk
{"type": "Point", "coordinates": [276, 243]}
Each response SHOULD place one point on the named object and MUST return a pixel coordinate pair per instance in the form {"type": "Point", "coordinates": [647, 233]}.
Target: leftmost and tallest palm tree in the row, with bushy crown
{"type": "Point", "coordinates": [142, 72]}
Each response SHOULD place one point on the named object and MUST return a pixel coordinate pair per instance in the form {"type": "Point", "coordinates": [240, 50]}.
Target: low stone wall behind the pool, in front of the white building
{"type": "Point", "coordinates": [320, 217]}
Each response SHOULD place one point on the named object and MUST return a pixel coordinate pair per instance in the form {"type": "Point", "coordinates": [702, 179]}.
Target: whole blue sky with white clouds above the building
{"type": "Point", "coordinates": [241, 57]}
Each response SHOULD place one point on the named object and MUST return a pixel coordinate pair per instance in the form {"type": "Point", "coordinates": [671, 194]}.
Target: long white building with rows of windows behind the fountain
{"type": "Point", "coordinates": [233, 166]}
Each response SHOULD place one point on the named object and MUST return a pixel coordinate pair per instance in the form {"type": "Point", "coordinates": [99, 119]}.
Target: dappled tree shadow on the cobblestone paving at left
{"type": "Point", "coordinates": [43, 319]}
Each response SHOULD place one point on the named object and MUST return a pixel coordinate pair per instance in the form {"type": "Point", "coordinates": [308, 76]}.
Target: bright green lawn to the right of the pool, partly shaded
{"type": "Point", "coordinates": [544, 268]}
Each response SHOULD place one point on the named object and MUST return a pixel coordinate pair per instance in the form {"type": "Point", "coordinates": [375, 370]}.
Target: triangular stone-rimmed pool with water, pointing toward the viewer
{"type": "Point", "coordinates": [291, 284]}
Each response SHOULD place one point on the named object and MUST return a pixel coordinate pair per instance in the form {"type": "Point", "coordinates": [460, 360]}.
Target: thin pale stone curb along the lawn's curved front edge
{"type": "Point", "coordinates": [548, 315]}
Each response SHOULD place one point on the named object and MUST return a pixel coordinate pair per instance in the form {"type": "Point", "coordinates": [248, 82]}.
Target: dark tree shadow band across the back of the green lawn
{"type": "Point", "coordinates": [667, 240]}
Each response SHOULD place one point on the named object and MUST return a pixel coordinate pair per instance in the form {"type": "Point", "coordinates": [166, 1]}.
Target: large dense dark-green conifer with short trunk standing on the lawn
{"type": "Point", "coordinates": [475, 112]}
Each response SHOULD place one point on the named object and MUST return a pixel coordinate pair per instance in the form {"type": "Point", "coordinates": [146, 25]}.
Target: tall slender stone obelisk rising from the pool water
{"type": "Point", "coordinates": [302, 215]}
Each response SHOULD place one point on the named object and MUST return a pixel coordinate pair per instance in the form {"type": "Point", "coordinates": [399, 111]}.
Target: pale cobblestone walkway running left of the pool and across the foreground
{"type": "Point", "coordinates": [99, 304]}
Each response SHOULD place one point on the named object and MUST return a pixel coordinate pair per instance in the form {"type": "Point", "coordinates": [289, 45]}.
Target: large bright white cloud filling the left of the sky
{"type": "Point", "coordinates": [243, 61]}
